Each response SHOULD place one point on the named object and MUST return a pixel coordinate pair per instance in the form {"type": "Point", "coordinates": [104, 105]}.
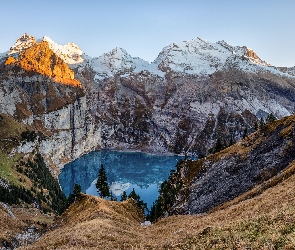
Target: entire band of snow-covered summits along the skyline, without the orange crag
{"type": "Point", "coordinates": [195, 57]}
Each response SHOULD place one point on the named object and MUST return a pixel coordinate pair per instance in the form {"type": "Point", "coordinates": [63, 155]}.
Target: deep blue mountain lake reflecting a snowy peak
{"type": "Point", "coordinates": [125, 170]}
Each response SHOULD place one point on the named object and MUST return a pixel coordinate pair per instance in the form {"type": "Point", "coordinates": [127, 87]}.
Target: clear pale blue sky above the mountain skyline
{"type": "Point", "coordinates": [144, 27]}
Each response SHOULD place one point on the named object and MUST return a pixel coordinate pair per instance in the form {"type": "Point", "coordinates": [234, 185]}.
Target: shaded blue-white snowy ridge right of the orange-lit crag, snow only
{"type": "Point", "coordinates": [194, 57]}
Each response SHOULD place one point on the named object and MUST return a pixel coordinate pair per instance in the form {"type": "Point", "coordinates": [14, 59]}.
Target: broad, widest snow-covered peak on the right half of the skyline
{"type": "Point", "coordinates": [200, 57]}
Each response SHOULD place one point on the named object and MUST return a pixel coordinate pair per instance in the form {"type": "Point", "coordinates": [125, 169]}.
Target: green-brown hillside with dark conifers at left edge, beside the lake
{"type": "Point", "coordinates": [26, 186]}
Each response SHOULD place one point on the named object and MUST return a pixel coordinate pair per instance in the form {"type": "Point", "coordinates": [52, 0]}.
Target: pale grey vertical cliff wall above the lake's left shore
{"type": "Point", "coordinates": [72, 133]}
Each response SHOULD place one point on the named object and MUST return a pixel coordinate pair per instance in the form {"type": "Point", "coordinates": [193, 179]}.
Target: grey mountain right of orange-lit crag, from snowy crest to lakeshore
{"type": "Point", "coordinates": [192, 94]}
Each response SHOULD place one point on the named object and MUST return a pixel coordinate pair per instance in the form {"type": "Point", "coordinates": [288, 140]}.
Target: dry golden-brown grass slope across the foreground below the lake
{"type": "Point", "coordinates": [266, 221]}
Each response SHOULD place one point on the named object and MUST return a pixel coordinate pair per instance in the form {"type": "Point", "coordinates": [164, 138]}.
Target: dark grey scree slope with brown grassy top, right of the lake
{"type": "Point", "coordinates": [223, 176]}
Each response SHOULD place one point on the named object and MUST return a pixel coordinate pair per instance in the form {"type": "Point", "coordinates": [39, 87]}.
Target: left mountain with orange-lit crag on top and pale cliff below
{"type": "Point", "coordinates": [39, 90]}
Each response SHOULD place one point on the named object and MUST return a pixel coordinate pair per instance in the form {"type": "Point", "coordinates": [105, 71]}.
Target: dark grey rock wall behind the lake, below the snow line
{"type": "Point", "coordinates": [185, 114]}
